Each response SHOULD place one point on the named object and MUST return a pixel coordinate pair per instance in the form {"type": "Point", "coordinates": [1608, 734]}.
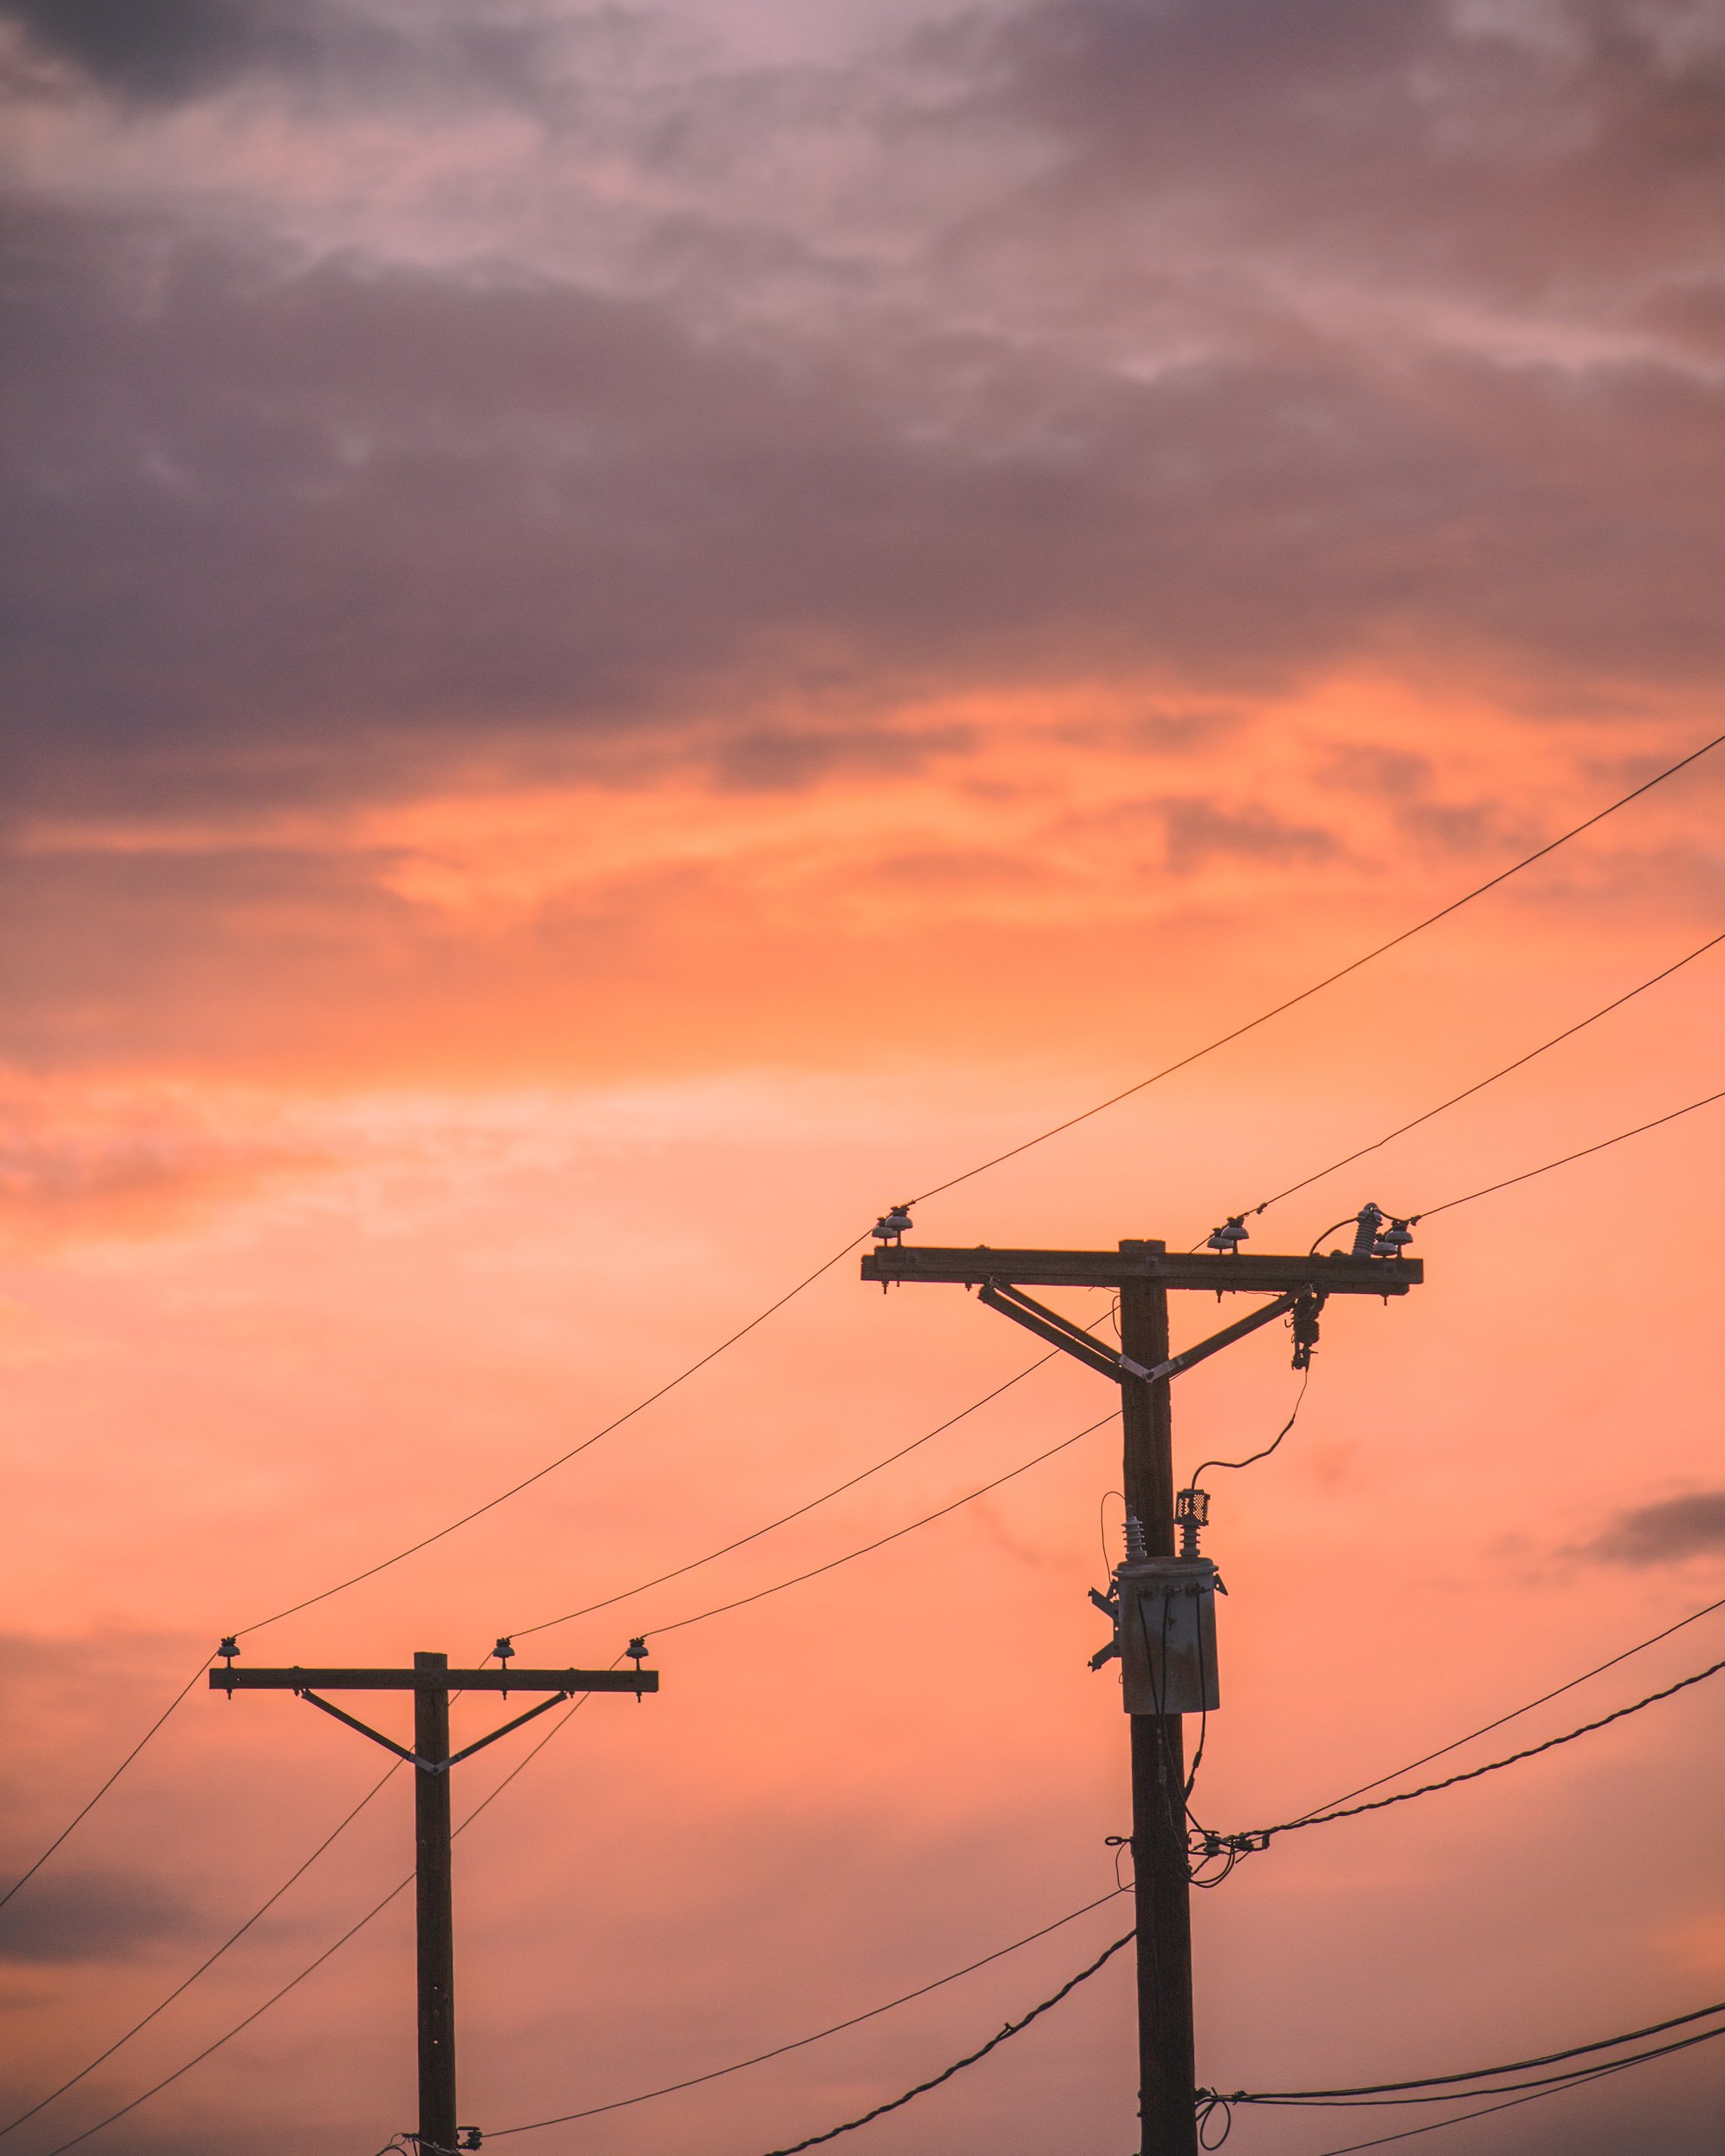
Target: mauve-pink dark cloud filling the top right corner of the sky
{"type": "Point", "coordinates": [1510, 152]}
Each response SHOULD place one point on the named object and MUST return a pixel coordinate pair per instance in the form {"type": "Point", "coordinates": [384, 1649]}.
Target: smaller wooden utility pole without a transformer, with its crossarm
{"type": "Point", "coordinates": [432, 1681]}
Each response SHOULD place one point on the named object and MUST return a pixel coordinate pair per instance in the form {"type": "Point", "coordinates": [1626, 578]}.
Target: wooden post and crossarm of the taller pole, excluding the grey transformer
{"type": "Point", "coordinates": [1142, 1275]}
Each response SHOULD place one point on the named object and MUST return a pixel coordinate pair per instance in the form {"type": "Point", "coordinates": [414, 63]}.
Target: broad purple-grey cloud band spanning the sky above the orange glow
{"type": "Point", "coordinates": [286, 525]}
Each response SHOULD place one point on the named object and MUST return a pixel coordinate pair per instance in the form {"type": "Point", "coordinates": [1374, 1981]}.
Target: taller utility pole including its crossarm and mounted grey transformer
{"type": "Point", "coordinates": [1165, 1670]}
